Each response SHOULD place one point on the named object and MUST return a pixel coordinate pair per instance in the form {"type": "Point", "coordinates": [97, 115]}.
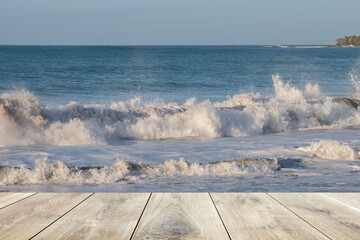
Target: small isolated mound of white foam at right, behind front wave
{"type": "Point", "coordinates": [330, 149]}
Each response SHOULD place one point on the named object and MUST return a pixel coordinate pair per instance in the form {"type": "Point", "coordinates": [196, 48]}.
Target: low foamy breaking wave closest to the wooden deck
{"type": "Point", "coordinates": [126, 172]}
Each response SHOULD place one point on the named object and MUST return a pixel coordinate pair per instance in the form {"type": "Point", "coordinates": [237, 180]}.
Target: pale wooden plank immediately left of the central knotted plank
{"type": "Point", "coordinates": [103, 216]}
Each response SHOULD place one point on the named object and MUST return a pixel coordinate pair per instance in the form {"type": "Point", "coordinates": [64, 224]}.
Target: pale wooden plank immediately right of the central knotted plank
{"type": "Point", "coordinates": [258, 216]}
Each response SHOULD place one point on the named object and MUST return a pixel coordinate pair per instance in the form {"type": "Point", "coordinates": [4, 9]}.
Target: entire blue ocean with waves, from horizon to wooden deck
{"type": "Point", "coordinates": [179, 118]}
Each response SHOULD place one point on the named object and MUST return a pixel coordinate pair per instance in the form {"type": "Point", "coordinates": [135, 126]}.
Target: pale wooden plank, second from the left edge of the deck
{"type": "Point", "coordinates": [26, 218]}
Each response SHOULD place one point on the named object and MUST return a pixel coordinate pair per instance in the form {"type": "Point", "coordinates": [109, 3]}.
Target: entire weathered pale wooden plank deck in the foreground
{"type": "Point", "coordinates": [180, 215]}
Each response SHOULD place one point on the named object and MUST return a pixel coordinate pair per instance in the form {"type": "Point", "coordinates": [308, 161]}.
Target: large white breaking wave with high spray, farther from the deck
{"type": "Point", "coordinates": [25, 121]}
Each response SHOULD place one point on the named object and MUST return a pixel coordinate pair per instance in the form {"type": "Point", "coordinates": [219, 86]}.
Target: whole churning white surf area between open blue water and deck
{"type": "Point", "coordinates": [288, 129]}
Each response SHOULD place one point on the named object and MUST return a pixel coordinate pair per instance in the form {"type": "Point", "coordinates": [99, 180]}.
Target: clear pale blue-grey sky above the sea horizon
{"type": "Point", "coordinates": [177, 22]}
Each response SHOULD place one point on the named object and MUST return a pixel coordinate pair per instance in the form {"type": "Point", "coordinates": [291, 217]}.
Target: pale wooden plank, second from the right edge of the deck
{"type": "Point", "coordinates": [336, 219]}
